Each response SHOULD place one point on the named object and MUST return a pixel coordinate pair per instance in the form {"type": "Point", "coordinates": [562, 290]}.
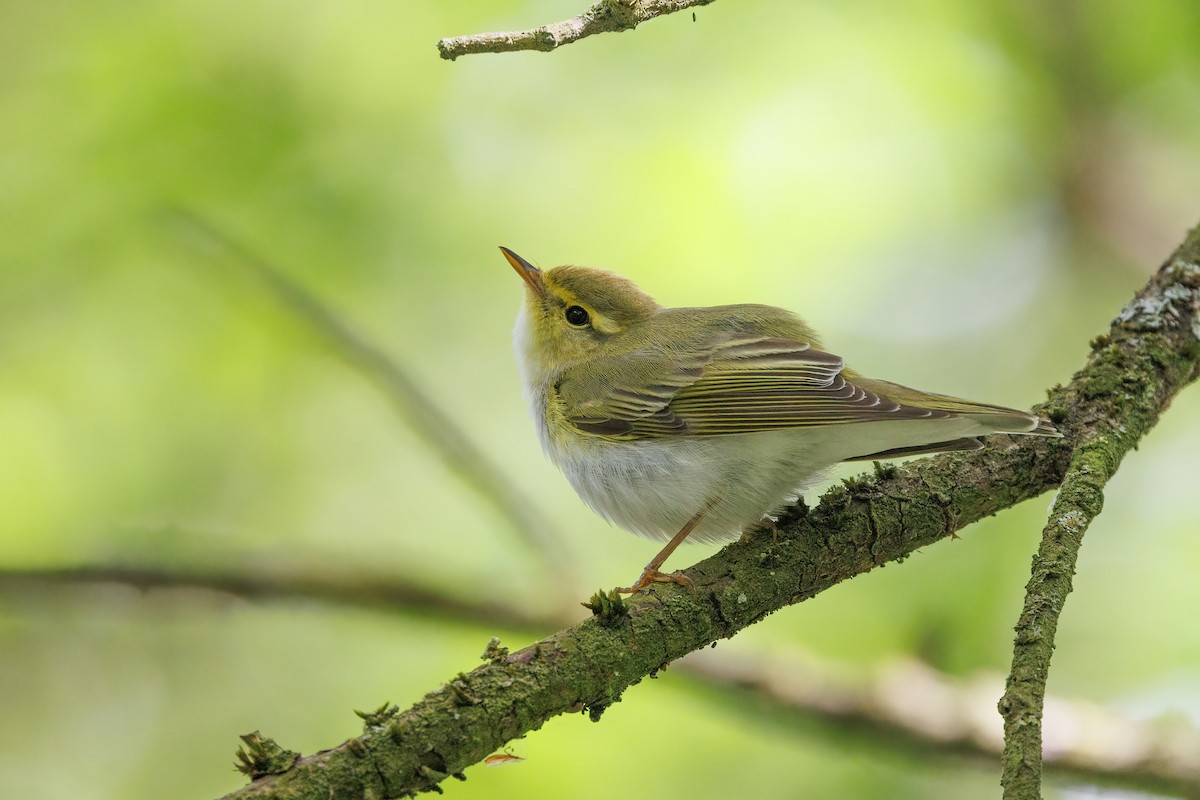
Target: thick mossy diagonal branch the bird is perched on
{"type": "Point", "coordinates": [1131, 377]}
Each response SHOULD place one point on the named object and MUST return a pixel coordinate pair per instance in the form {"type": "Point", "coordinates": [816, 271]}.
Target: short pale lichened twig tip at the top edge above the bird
{"type": "Point", "coordinates": [604, 17]}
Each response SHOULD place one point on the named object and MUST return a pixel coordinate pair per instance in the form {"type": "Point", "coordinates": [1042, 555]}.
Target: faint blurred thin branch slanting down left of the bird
{"type": "Point", "coordinates": [418, 410]}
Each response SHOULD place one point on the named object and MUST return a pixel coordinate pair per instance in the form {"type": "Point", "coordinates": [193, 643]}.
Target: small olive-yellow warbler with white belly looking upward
{"type": "Point", "coordinates": [700, 422]}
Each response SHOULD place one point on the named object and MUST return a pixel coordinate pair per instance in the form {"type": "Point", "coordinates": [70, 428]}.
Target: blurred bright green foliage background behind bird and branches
{"type": "Point", "coordinates": [959, 196]}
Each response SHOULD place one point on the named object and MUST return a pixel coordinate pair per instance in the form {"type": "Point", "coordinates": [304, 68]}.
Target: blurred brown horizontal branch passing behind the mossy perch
{"type": "Point", "coordinates": [908, 708]}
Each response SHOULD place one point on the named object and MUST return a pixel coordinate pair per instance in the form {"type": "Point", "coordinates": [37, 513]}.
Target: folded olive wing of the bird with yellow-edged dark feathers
{"type": "Point", "coordinates": [736, 386]}
